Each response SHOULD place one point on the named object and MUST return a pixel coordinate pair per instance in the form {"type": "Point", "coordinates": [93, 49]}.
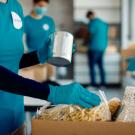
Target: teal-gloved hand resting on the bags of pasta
{"type": "Point", "coordinates": [73, 94]}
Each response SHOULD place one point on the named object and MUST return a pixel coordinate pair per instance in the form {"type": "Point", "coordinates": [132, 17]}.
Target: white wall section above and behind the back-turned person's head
{"type": "Point", "coordinates": [109, 10]}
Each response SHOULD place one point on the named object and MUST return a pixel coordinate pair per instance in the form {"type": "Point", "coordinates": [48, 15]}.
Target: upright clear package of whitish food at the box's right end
{"type": "Point", "coordinates": [128, 106]}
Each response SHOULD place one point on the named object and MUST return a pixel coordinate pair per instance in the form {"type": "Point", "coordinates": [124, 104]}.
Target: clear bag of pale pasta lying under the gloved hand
{"type": "Point", "coordinates": [76, 113]}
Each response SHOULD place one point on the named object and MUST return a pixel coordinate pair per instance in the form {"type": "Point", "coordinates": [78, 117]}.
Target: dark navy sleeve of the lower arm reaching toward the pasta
{"type": "Point", "coordinates": [13, 83]}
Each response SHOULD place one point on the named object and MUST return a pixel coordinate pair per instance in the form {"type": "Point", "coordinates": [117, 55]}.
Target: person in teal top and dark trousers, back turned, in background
{"type": "Point", "coordinates": [98, 30]}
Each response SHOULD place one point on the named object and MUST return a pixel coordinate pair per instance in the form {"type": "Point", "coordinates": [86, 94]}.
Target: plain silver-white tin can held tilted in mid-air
{"type": "Point", "coordinates": [61, 44]}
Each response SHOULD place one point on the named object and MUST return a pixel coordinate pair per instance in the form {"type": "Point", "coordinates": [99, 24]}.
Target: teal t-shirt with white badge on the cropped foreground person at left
{"type": "Point", "coordinates": [11, 51]}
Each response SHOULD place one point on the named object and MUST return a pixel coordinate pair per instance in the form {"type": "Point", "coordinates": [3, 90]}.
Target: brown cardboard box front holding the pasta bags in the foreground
{"type": "Point", "coordinates": [42, 127]}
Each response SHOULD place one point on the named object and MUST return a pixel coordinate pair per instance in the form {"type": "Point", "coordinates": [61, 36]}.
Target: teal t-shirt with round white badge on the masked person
{"type": "Point", "coordinates": [38, 31]}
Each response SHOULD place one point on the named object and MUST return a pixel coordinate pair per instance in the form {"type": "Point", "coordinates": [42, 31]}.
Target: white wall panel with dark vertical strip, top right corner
{"type": "Point", "coordinates": [128, 23]}
